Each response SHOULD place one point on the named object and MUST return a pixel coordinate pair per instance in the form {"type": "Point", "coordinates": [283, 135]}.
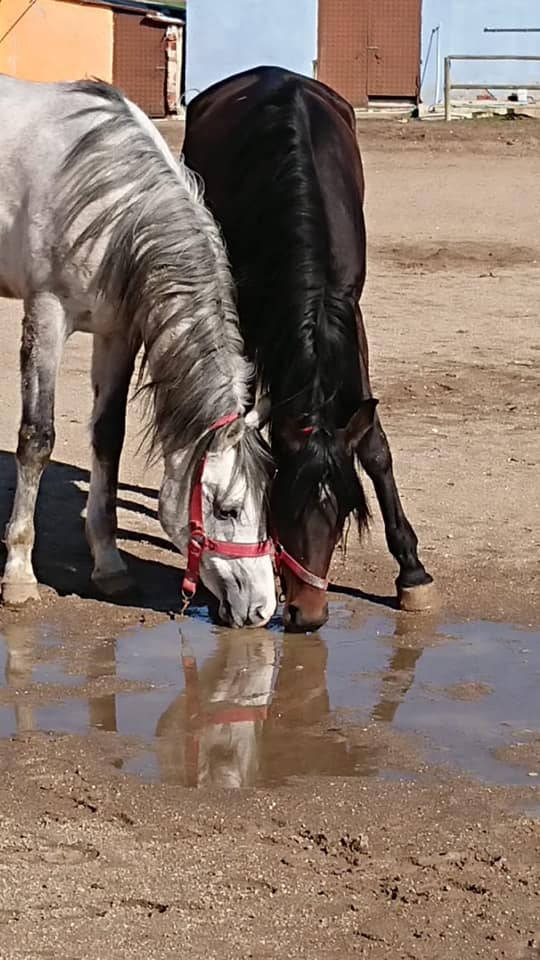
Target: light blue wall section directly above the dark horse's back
{"type": "Point", "coordinates": [225, 38]}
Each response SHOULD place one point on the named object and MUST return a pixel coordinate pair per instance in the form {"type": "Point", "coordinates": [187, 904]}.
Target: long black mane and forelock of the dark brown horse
{"type": "Point", "coordinates": [298, 314]}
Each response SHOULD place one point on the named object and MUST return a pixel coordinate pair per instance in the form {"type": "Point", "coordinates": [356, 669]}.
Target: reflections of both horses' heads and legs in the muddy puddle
{"type": "Point", "coordinates": [257, 711]}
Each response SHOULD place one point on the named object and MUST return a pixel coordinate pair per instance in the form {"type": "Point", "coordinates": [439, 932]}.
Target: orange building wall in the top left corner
{"type": "Point", "coordinates": [55, 40]}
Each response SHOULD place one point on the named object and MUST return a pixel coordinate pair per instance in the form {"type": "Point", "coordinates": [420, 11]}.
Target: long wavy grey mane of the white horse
{"type": "Point", "coordinates": [164, 269]}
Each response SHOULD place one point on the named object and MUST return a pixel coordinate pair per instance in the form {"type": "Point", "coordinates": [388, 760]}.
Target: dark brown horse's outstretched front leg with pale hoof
{"type": "Point", "coordinates": [414, 584]}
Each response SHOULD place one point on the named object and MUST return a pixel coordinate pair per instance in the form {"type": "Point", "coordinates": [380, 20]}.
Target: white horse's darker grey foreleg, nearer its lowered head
{"type": "Point", "coordinates": [112, 367]}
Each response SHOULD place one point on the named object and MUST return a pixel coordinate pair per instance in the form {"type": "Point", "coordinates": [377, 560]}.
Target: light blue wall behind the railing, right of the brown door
{"type": "Point", "coordinates": [462, 23]}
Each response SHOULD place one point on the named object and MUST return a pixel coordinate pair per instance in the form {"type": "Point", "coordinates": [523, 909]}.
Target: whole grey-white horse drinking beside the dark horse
{"type": "Point", "coordinates": [101, 230]}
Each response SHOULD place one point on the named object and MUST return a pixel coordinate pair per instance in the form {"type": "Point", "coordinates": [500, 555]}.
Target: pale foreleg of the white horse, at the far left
{"type": "Point", "coordinates": [43, 337]}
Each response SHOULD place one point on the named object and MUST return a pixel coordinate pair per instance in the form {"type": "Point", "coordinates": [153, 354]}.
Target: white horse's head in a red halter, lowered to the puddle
{"type": "Point", "coordinates": [221, 524]}
